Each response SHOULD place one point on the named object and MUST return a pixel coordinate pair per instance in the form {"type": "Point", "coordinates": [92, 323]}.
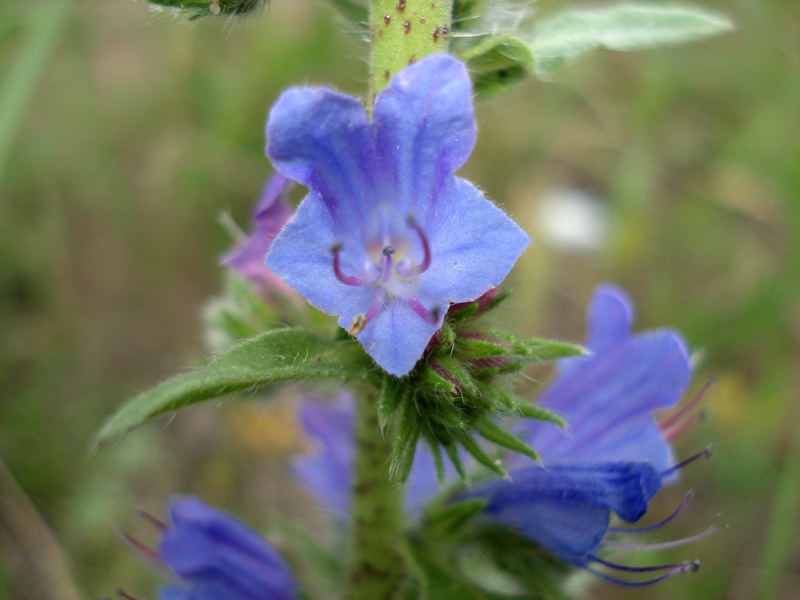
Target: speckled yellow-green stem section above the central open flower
{"type": "Point", "coordinates": [403, 32]}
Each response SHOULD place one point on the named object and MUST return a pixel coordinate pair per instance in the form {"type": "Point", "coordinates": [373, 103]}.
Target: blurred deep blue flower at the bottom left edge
{"type": "Point", "coordinates": [216, 557]}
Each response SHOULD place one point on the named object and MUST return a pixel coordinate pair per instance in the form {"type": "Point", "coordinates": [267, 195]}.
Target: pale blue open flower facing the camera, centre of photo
{"type": "Point", "coordinates": [388, 237]}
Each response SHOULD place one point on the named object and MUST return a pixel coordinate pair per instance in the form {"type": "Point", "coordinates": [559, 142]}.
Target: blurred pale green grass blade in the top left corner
{"type": "Point", "coordinates": [46, 23]}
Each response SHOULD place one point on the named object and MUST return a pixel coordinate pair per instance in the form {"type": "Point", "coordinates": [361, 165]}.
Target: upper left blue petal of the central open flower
{"type": "Point", "coordinates": [324, 140]}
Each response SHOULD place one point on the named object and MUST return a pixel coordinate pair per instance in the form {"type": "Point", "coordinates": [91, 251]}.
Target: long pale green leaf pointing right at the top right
{"type": "Point", "coordinates": [561, 40]}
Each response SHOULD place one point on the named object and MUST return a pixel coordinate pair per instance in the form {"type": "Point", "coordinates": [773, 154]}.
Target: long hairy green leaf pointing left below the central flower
{"type": "Point", "coordinates": [273, 357]}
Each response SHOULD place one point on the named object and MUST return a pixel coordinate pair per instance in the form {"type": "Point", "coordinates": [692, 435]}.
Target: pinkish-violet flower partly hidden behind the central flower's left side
{"type": "Point", "coordinates": [269, 216]}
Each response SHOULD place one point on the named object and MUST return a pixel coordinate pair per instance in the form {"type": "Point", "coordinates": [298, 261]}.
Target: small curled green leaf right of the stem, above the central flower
{"type": "Point", "coordinates": [498, 64]}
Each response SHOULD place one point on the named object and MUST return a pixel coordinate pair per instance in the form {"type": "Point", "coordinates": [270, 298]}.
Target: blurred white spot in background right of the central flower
{"type": "Point", "coordinates": [572, 219]}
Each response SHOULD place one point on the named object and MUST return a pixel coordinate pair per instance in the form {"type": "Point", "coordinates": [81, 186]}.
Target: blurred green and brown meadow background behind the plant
{"type": "Point", "coordinates": [124, 134]}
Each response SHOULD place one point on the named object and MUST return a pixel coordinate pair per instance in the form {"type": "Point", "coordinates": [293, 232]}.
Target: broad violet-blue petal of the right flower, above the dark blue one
{"type": "Point", "coordinates": [608, 402]}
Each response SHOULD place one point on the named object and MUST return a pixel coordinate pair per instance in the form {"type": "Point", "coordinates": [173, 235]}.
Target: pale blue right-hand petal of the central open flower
{"type": "Point", "coordinates": [474, 245]}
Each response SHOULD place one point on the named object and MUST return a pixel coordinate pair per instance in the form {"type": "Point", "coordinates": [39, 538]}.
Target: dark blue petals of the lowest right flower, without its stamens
{"type": "Point", "coordinates": [566, 508]}
